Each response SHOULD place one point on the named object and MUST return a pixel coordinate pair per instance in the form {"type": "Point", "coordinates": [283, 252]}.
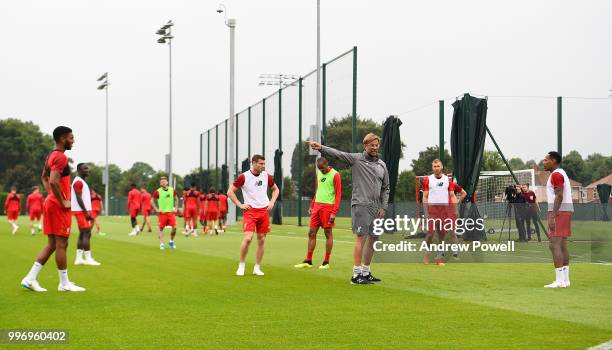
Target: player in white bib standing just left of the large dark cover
{"type": "Point", "coordinates": [439, 203]}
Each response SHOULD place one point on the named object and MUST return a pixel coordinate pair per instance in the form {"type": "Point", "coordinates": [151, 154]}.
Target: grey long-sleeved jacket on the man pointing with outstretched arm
{"type": "Point", "coordinates": [370, 177]}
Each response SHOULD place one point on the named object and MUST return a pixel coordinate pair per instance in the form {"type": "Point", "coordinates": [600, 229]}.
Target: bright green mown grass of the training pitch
{"type": "Point", "coordinates": [189, 298]}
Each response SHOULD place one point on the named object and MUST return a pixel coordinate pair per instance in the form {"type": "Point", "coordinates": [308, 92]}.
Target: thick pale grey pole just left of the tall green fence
{"type": "Point", "coordinates": [231, 24]}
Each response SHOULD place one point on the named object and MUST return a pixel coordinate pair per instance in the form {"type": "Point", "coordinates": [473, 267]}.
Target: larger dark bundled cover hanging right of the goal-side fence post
{"type": "Point", "coordinates": [468, 135]}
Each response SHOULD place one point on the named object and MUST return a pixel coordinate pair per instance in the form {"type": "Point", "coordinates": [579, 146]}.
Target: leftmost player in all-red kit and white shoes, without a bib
{"type": "Point", "coordinates": [56, 211]}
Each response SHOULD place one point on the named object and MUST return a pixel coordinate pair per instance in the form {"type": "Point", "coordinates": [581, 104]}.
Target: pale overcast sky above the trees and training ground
{"type": "Point", "coordinates": [411, 54]}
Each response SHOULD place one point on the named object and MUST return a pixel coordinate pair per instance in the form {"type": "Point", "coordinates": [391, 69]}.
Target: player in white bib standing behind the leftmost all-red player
{"type": "Point", "coordinates": [81, 209]}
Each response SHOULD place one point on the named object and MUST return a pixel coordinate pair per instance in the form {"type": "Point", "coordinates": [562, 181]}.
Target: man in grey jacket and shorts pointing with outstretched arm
{"type": "Point", "coordinates": [368, 201]}
